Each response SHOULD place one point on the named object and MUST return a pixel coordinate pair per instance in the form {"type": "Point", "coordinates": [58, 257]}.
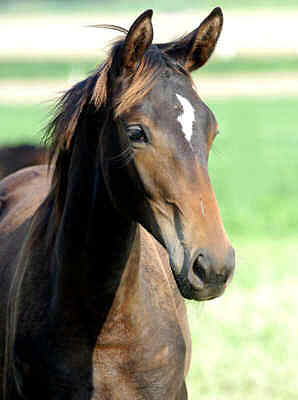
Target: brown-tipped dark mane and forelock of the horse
{"type": "Point", "coordinates": [108, 89]}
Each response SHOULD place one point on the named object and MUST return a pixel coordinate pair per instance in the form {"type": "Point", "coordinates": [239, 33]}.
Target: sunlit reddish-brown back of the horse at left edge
{"type": "Point", "coordinates": [20, 195]}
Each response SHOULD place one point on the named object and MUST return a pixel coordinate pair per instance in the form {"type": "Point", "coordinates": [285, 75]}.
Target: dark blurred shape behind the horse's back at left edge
{"type": "Point", "coordinates": [13, 158]}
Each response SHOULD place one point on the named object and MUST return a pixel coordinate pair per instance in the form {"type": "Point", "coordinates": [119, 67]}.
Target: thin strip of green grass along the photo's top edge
{"type": "Point", "coordinates": [137, 5]}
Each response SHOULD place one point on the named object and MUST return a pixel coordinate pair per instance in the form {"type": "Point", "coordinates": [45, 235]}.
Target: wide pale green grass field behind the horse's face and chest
{"type": "Point", "coordinates": [245, 343]}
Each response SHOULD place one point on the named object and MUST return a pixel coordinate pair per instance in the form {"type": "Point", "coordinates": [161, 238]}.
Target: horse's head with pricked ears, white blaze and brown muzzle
{"type": "Point", "coordinates": [168, 131]}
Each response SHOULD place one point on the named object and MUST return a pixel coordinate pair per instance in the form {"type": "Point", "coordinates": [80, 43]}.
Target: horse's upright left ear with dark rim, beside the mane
{"type": "Point", "coordinates": [137, 41]}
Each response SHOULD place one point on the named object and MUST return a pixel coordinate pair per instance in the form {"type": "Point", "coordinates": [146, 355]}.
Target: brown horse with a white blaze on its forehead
{"type": "Point", "coordinates": [97, 253]}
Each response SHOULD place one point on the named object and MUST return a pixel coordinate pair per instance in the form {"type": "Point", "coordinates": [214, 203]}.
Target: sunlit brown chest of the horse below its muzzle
{"type": "Point", "coordinates": [141, 352]}
